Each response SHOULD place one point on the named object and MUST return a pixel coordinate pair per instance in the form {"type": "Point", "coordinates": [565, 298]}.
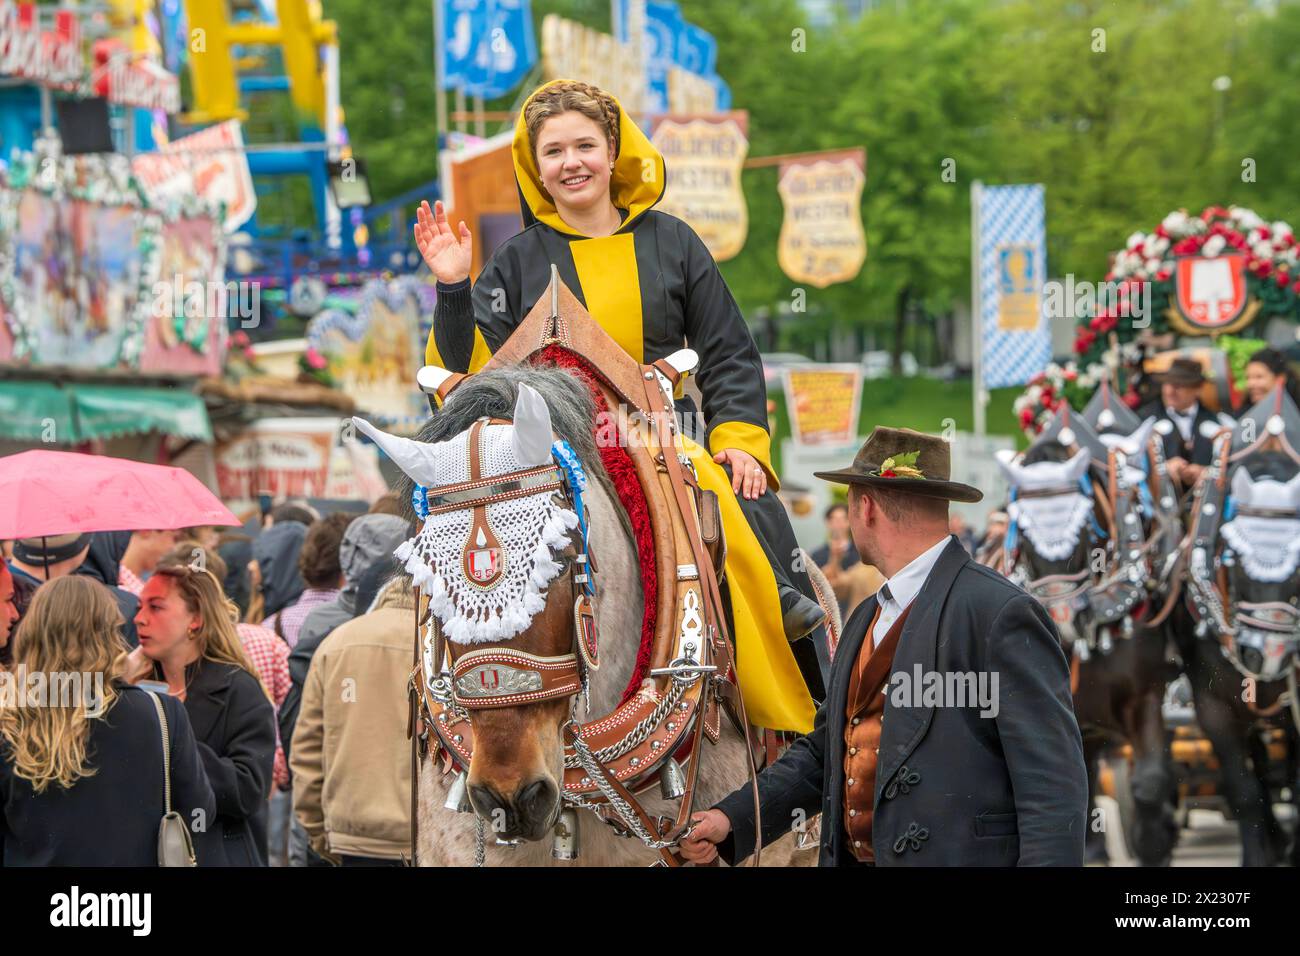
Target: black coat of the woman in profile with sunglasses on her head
{"type": "Point", "coordinates": [235, 725]}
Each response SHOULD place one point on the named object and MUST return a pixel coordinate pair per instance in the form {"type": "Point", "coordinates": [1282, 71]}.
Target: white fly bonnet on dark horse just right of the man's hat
{"type": "Point", "coordinates": [1054, 522]}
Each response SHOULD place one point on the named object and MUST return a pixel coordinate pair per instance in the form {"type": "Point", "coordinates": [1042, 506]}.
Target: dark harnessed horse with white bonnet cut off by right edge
{"type": "Point", "coordinates": [1240, 626]}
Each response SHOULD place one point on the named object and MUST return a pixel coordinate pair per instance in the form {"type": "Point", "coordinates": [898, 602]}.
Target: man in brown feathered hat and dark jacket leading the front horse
{"type": "Point", "coordinates": [948, 734]}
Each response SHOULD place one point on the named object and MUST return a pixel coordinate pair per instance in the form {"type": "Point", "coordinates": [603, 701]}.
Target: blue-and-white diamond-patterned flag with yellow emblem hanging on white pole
{"type": "Point", "coordinates": [1012, 258]}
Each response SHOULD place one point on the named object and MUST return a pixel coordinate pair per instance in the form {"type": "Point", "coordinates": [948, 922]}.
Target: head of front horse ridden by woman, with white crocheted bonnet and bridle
{"type": "Point", "coordinates": [500, 559]}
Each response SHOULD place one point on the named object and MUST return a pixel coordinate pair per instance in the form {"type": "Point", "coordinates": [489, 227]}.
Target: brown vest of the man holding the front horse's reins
{"type": "Point", "coordinates": [866, 706]}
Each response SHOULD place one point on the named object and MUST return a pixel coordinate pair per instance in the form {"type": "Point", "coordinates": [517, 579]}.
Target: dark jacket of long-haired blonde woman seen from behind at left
{"type": "Point", "coordinates": [112, 817]}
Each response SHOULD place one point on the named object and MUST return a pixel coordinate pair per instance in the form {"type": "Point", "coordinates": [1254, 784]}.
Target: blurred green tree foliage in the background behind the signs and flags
{"type": "Point", "coordinates": [1017, 92]}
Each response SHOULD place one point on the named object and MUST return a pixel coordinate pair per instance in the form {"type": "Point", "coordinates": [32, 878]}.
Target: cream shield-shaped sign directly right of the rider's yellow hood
{"type": "Point", "coordinates": [705, 157]}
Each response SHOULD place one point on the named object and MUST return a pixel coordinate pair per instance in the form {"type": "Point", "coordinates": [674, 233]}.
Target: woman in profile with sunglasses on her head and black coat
{"type": "Point", "coordinates": [189, 642]}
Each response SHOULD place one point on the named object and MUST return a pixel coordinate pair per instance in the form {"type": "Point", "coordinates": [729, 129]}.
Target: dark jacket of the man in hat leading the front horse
{"type": "Point", "coordinates": [952, 789]}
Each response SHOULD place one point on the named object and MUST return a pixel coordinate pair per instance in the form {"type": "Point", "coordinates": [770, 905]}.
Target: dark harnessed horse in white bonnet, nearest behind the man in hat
{"type": "Point", "coordinates": [1093, 581]}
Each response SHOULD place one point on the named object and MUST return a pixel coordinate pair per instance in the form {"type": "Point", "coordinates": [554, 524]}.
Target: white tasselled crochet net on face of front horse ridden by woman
{"type": "Point", "coordinates": [531, 530]}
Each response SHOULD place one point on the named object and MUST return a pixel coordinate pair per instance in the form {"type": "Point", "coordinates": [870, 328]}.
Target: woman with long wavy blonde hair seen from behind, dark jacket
{"type": "Point", "coordinates": [81, 765]}
